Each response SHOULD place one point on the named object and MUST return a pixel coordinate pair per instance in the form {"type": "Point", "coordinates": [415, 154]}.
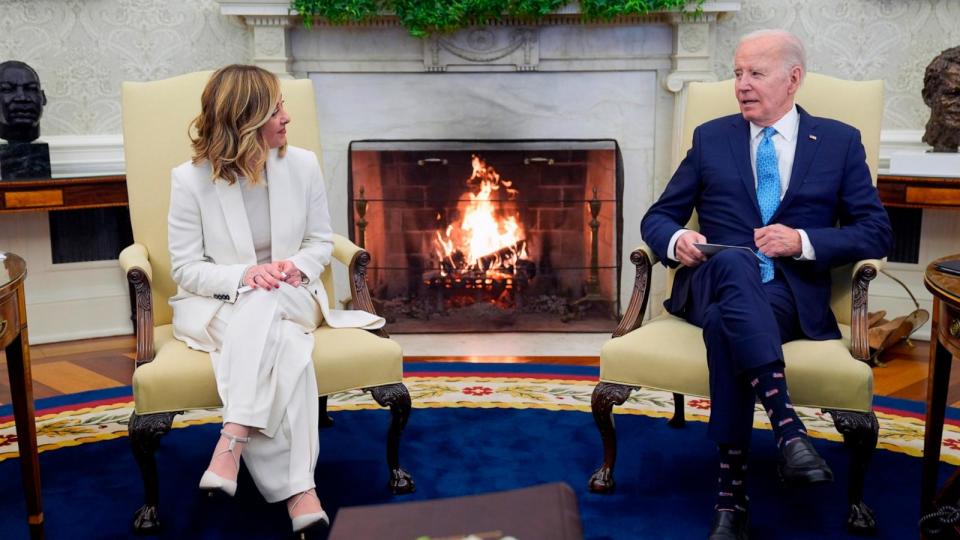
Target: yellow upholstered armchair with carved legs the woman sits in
{"type": "Point", "coordinates": [171, 378]}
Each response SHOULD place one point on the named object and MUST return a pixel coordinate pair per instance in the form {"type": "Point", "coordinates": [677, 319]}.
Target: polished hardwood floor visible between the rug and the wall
{"type": "Point", "coordinates": [91, 364]}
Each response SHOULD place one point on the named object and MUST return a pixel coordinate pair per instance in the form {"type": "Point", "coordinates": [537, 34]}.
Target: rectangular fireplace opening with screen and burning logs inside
{"type": "Point", "coordinates": [490, 236]}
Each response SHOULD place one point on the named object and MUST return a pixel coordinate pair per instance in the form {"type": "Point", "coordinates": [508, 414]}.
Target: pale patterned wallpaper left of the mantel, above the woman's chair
{"type": "Point", "coordinates": [84, 49]}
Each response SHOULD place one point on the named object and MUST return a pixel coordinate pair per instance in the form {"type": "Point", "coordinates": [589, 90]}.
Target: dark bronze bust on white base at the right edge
{"type": "Point", "coordinates": [941, 92]}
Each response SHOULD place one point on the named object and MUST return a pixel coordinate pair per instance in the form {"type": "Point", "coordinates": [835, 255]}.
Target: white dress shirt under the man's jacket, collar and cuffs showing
{"type": "Point", "coordinates": [785, 145]}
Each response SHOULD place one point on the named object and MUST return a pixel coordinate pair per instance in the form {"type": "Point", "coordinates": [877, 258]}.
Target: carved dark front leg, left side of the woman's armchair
{"type": "Point", "coordinates": [145, 432]}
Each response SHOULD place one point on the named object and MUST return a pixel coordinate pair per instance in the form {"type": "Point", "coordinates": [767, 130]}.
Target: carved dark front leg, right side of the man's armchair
{"type": "Point", "coordinates": [860, 431]}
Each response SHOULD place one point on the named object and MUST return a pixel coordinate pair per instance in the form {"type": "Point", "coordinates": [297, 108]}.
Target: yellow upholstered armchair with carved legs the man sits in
{"type": "Point", "coordinates": [667, 353]}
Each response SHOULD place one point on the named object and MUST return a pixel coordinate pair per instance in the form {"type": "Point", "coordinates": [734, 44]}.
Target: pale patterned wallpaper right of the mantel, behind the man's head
{"type": "Point", "coordinates": [893, 40]}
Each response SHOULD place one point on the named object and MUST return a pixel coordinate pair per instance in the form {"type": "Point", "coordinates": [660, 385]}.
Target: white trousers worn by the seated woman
{"type": "Point", "coordinates": [266, 380]}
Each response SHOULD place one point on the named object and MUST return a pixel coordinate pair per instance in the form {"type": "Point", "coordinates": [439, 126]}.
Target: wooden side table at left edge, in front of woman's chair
{"type": "Point", "coordinates": [13, 339]}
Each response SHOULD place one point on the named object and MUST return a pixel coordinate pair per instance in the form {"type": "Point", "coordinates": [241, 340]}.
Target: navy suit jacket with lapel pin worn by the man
{"type": "Point", "coordinates": [831, 196]}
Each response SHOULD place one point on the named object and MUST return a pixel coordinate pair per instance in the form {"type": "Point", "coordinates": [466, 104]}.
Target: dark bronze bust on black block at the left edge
{"type": "Point", "coordinates": [21, 102]}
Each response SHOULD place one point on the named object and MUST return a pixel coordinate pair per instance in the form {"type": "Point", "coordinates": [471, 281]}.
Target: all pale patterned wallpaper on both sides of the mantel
{"type": "Point", "coordinates": [84, 49]}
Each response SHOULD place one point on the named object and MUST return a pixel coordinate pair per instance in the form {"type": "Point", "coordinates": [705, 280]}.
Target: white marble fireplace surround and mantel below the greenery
{"type": "Point", "coordinates": [569, 78]}
